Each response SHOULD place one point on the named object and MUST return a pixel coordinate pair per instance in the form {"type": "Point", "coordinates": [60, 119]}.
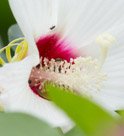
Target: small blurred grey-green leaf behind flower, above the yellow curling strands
{"type": "Point", "coordinates": [14, 32]}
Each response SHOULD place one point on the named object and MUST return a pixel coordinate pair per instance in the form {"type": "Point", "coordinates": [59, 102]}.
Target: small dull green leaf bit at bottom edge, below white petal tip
{"type": "Point", "coordinates": [75, 132]}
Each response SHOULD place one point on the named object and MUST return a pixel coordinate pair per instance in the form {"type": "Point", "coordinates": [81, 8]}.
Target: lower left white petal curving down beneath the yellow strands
{"type": "Point", "coordinates": [17, 95]}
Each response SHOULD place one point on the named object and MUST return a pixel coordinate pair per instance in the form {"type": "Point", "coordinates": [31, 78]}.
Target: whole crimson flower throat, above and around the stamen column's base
{"type": "Point", "coordinates": [50, 47]}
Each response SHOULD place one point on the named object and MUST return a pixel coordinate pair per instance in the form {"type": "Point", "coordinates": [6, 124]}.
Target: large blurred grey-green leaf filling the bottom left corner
{"type": "Point", "coordinates": [18, 124]}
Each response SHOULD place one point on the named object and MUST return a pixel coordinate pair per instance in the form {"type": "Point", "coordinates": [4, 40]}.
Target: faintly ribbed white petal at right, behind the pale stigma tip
{"type": "Point", "coordinates": [112, 95]}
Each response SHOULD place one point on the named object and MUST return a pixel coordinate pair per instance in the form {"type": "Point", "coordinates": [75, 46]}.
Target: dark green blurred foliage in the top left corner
{"type": "Point", "coordinates": [6, 20]}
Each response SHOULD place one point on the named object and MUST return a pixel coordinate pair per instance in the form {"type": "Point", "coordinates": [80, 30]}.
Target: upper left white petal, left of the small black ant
{"type": "Point", "coordinates": [35, 17]}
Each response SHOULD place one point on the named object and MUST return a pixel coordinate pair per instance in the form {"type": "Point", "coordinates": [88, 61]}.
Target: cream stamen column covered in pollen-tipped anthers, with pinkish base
{"type": "Point", "coordinates": [77, 74]}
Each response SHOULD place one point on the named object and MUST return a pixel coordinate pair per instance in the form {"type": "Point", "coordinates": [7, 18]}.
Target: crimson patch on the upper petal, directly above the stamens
{"type": "Point", "coordinates": [52, 47]}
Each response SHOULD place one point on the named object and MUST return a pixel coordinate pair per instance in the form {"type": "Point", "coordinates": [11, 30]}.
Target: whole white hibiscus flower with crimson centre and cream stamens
{"type": "Point", "coordinates": [64, 48]}
